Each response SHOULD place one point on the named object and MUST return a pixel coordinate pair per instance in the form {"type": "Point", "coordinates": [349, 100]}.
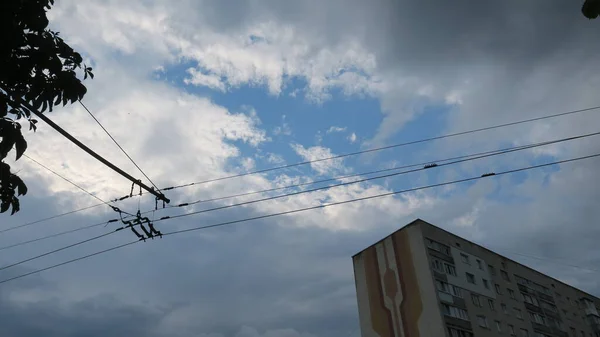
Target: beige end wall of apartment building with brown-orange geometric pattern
{"type": "Point", "coordinates": [395, 290]}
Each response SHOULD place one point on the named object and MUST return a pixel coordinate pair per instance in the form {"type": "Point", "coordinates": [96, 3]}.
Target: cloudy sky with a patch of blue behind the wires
{"type": "Point", "coordinates": [196, 90]}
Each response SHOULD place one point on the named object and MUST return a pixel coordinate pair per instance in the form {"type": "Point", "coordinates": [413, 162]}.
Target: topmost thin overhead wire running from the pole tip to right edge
{"type": "Point", "coordinates": [386, 147]}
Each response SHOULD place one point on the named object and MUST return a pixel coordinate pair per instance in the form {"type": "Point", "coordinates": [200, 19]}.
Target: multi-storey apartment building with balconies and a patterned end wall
{"type": "Point", "coordinates": [423, 281]}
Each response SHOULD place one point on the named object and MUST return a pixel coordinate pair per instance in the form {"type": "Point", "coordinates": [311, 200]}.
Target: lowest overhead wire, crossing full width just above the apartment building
{"type": "Point", "coordinates": [308, 209]}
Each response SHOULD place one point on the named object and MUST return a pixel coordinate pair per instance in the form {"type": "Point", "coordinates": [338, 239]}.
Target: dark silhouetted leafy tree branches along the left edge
{"type": "Point", "coordinates": [37, 68]}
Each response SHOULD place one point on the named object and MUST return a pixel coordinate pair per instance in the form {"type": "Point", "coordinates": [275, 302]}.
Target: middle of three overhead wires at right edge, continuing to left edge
{"type": "Point", "coordinates": [501, 151]}
